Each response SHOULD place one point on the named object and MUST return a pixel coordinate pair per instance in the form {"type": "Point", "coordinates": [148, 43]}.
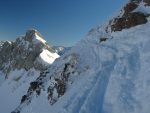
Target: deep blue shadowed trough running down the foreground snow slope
{"type": "Point", "coordinates": [94, 89]}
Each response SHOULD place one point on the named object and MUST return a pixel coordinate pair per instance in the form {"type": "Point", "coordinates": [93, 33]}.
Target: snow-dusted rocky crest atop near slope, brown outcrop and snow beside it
{"type": "Point", "coordinates": [134, 13]}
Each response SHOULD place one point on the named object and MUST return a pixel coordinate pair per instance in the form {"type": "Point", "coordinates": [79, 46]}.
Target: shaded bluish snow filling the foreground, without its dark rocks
{"type": "Point", "coordinates": [109, 77]}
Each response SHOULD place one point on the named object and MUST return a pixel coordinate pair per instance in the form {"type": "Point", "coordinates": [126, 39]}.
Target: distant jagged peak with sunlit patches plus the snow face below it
{"type": "Point", "coordinates": [21, 62]}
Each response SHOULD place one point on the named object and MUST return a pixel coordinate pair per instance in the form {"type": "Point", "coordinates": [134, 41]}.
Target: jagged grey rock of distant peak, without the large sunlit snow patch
{"type": "Point", "coordinates": [22, 53]}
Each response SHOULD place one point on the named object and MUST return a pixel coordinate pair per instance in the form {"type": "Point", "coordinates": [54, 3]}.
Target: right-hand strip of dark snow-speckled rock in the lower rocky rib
{"type": "Point", "coordinates": [60, 80]}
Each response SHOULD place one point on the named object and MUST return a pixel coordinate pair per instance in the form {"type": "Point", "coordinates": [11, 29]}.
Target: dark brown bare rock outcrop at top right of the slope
{"type": "Point", "coordinates": [129, 18]}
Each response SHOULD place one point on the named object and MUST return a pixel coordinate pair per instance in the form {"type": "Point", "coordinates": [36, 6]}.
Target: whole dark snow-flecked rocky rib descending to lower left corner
{"type": "Point", "coordinates": [59, 79]}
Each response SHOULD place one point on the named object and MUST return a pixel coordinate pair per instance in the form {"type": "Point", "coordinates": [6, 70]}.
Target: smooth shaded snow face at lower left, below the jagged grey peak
{"type": "Point", "coordinates": [14, 87]}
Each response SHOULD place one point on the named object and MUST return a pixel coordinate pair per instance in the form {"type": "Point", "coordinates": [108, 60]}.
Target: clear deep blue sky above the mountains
{"type": "Point", "coordinates": [61, 22]}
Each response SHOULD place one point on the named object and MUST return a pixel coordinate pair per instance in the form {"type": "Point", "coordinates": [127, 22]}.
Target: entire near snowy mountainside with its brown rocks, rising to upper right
{"type": "Point", "coordinates": [106, 72]}
